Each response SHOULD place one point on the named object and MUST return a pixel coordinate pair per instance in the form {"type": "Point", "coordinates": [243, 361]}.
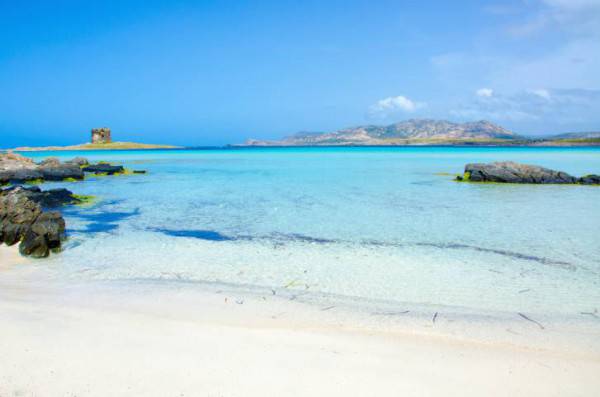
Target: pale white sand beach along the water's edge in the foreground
{"type": "Point", "coordinates": [107, 342]}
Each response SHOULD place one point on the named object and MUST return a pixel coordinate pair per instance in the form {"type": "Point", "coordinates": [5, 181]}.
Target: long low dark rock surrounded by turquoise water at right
{"type": "Point", "coordinates": [511, 172]}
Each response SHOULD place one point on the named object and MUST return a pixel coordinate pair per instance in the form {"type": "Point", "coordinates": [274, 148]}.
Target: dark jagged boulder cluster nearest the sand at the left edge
{"type": "Point", "coordinates": [23, 220]}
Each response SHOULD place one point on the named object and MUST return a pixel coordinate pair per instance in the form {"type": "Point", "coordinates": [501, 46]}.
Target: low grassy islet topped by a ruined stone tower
{"type": "Point", "coordinates": [101, 139]}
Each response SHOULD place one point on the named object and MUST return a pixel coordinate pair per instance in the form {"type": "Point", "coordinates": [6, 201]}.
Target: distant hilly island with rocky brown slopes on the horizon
{"type": "Point", "coordinates": [428, 132]}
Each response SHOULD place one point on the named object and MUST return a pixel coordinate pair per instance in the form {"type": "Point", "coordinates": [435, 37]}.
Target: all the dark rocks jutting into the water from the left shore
{"type": "Point", "coordinates": [28, 215]}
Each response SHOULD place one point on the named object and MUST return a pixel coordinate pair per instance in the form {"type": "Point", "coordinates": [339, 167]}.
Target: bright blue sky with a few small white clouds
{"type": "Point", "coordinates": [218, 72]}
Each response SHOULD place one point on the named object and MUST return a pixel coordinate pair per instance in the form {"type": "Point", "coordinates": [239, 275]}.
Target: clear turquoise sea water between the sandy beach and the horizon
{"type": "Point", "coordinates": [383, 224]}
